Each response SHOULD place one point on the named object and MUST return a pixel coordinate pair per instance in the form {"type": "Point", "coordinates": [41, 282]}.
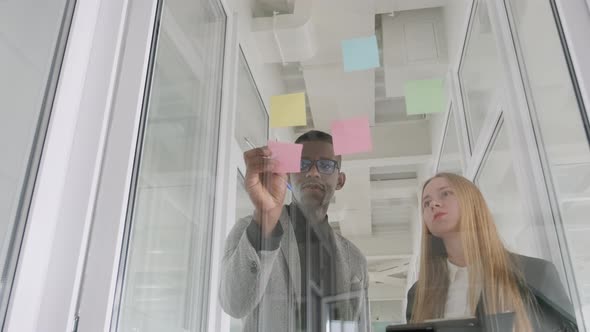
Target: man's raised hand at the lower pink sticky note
{"type": "Point", "coordinates": [266, 189]}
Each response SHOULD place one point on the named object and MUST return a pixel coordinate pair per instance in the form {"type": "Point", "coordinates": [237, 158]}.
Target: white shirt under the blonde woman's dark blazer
{"type": "Point", "coordinates": [457, 298]}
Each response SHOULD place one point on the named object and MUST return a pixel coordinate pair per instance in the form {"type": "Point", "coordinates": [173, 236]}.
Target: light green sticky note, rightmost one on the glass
{"type": "Point", "coordinates": [424, 96]}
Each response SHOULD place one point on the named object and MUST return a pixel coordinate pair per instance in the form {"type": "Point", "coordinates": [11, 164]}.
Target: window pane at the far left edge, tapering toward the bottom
{"type": "Point", "coordinates": [32, 42]}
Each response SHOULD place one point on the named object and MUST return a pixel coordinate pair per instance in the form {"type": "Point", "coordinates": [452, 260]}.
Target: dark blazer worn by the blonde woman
{"type": "Point", "coordinates": [554, 309]}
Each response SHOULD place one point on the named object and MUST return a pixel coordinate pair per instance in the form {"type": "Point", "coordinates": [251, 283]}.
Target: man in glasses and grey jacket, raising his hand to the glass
{"type": "Point", "coordinates": [284, 268]}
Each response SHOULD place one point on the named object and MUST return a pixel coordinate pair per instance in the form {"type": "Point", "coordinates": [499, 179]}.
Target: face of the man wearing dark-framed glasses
{"type": "Point", "coordinates": [314, 189]}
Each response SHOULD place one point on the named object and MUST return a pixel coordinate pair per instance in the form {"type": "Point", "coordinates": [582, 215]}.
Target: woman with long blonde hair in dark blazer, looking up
{"type": "Point", "coordinates": [465, 270]}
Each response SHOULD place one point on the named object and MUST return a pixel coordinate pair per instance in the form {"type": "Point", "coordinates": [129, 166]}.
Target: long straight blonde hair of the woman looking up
{"type": "Point", "coordinates": [488, 263]}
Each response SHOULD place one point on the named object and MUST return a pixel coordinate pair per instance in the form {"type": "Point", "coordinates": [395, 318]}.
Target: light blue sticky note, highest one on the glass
{"type": "Point", "coordinates": [360, 53]}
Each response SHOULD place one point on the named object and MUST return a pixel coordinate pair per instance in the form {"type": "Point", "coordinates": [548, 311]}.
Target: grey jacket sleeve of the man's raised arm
{"type": "Point", "coordinates": [244, 272]}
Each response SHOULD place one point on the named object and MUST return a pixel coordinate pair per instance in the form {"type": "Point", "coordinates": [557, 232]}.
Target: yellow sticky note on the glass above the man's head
{"type": "Point", "coordinates": [288, 110]}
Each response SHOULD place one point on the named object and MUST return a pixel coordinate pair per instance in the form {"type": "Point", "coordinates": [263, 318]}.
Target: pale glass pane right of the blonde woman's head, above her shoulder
{"type": "Point", "coordinates": [498, 183]}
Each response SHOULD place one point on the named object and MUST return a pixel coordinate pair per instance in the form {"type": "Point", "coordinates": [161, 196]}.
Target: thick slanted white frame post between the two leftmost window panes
{"type": "Point", "coordinates": [97, 294]}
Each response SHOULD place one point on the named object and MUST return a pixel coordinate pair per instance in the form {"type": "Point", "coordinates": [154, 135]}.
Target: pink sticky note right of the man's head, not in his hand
{"type": "Point", "coordinates": [351, 136]}
